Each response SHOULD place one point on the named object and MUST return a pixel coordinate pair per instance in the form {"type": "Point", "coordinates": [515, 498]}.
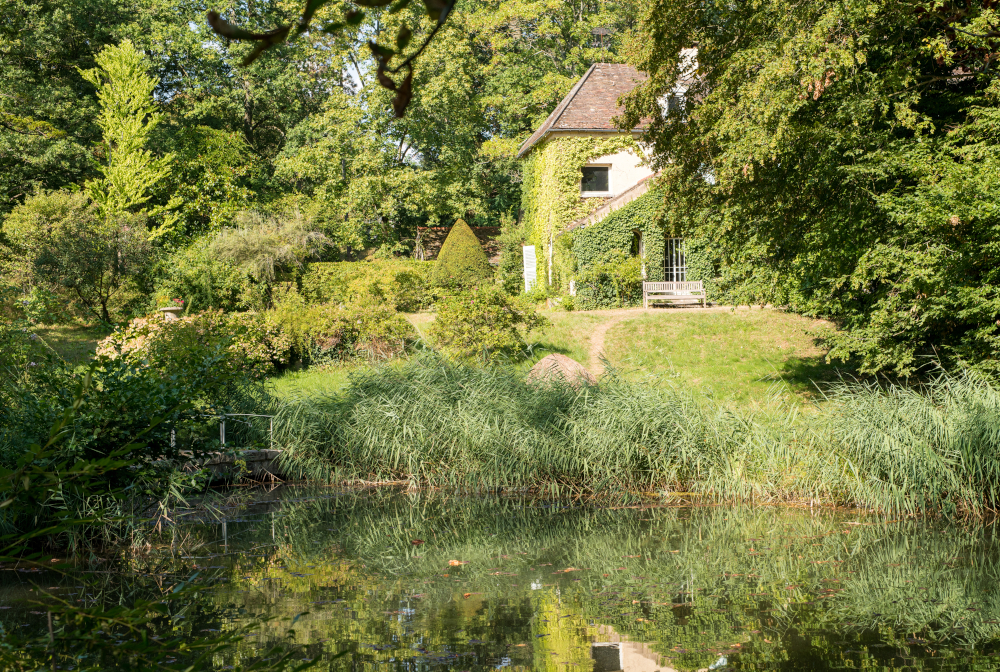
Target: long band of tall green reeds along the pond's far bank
{"type": "Point", "coordinates": [431, 423]}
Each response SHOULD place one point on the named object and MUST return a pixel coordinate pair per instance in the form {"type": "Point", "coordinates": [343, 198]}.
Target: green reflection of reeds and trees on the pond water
{"type": "Point", "coordinates": [702, 580]}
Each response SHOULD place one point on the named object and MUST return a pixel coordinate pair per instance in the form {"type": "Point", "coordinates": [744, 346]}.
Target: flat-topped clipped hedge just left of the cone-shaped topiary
{"type": "Point", "coordinates": [402, 284]}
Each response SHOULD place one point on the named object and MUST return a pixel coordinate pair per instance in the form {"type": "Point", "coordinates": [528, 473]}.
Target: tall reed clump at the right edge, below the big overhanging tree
{"type": "Point", "coordinates": [911, 449]}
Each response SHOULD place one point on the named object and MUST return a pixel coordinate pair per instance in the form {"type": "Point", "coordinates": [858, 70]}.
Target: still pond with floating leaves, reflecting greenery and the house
{"type": "Point", "coordinates": [393, 580]}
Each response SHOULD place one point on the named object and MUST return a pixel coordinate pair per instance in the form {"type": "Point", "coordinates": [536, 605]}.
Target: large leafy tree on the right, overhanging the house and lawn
{"type": "Point", "coordinates": [836, 158]}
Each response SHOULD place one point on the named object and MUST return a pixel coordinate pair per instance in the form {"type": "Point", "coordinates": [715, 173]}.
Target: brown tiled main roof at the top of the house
{"type": "Point", "coordinates": [591, 103]}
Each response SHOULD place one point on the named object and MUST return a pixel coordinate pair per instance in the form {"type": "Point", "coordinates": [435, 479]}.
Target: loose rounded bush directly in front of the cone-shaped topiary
{"type": "Point", "coordinates": [486, 322]}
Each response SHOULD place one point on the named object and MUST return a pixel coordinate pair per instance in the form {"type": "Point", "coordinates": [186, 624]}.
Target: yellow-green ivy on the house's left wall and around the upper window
{"type": "Point", "coordinates": [551, 199]}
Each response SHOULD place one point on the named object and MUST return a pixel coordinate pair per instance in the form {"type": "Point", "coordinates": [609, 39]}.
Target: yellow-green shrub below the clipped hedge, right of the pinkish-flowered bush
{"type": "Point", "coordinates": [329, 333]}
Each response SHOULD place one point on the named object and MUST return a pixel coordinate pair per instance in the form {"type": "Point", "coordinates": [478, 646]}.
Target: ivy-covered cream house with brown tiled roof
{"type": "Point", "coordinates": [584, 185]}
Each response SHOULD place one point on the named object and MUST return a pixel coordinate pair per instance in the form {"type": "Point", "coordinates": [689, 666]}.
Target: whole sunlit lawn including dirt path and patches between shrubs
{"type": "Point", "coordinates": [739, 357]}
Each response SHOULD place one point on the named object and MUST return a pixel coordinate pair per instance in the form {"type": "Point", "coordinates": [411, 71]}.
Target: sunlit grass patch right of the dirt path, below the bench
{"type": "Point", "coordinates": [742, 356]}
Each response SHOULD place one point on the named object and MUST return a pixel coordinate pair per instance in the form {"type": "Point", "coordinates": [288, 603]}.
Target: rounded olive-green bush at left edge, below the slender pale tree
{"type": "Point", "coordinates": [58, 241]}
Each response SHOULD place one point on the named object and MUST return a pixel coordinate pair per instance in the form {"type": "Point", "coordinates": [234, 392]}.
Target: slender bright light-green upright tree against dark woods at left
{"type": "Point", "coordinates": [128, 116]}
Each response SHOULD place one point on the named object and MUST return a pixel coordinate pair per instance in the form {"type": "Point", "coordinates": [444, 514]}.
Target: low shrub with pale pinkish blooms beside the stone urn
{"type": "Point", "coordinates": [245, 343]}
